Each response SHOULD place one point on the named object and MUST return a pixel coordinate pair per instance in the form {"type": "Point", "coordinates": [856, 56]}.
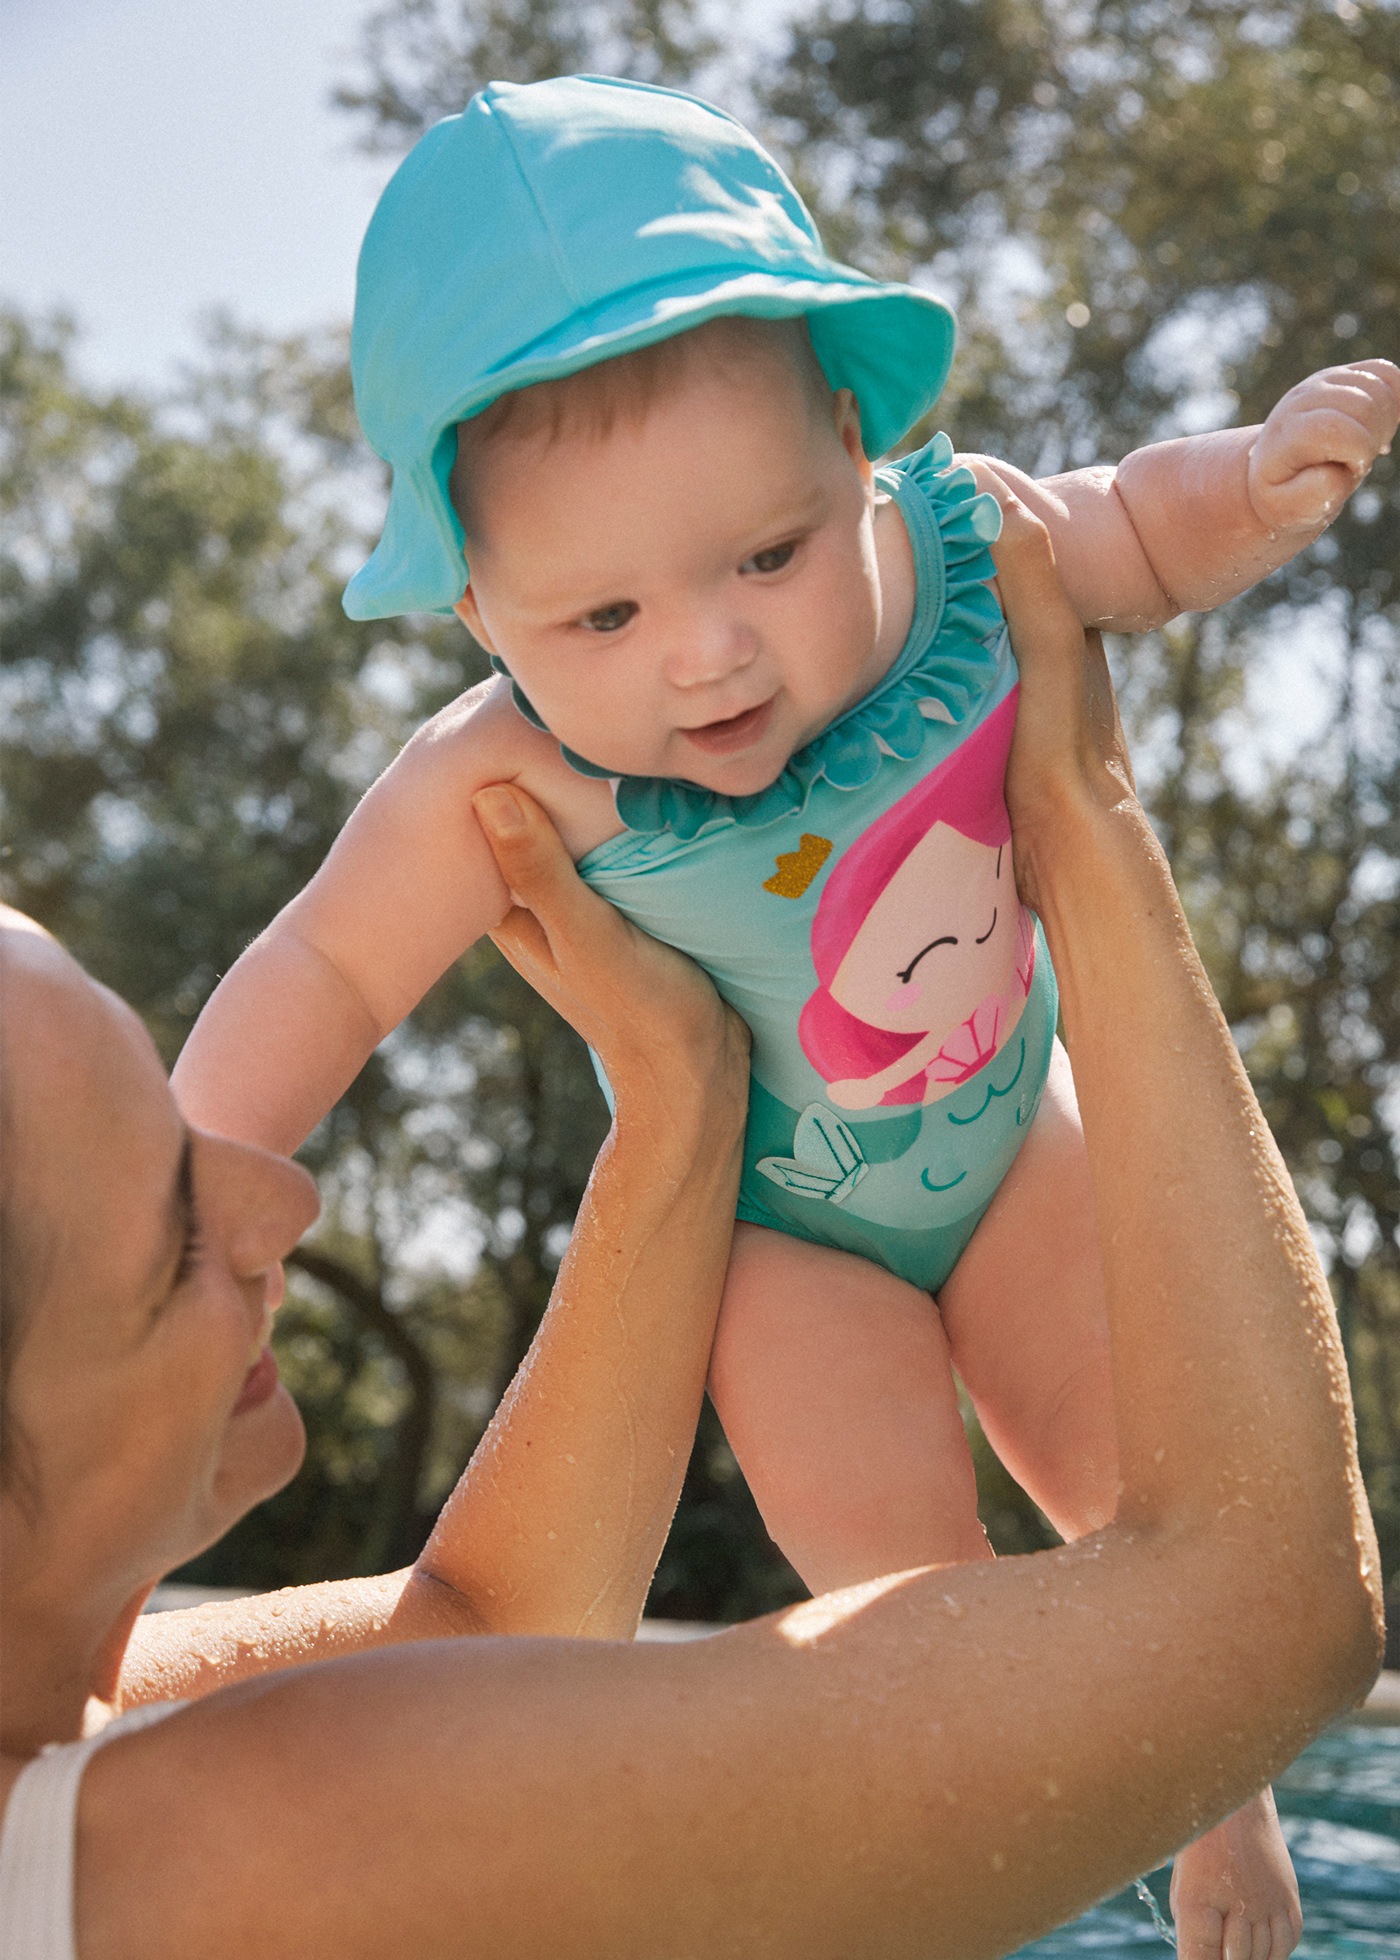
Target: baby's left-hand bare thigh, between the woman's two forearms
{"type": "Point", "coordinates": [834, 1387]}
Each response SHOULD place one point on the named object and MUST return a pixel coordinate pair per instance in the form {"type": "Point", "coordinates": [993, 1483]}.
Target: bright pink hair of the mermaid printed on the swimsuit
{"type": "Point", "coordinates": [968, 793]}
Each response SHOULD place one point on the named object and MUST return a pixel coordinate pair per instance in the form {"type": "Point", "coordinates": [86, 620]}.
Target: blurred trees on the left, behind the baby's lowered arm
{"type": "Point", "coordinates": [187, 722]}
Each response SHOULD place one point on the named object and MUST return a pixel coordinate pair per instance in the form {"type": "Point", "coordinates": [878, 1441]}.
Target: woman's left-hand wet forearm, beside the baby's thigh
{"type": "Point", "coordinates": [564, 1512]}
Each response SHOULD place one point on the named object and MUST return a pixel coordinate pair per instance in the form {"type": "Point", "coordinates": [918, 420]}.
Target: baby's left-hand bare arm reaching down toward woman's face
{"type": "Point", "coordinates": [405, 891]}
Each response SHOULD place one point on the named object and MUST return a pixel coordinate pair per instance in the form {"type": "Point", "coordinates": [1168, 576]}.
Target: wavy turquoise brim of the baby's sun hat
{"type": "Point", "coordinates": [891, 346]}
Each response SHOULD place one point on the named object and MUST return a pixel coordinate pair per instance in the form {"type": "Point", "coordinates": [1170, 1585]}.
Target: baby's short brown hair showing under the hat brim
{"type": "Point", "coordinates": [628, 387]}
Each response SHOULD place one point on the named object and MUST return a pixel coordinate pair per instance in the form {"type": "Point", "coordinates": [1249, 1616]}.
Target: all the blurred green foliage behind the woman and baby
{"type": "Point", "coordinates": [1213, 191]}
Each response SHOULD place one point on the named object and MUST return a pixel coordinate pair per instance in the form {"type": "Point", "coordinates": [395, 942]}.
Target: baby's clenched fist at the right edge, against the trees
{"type": "Point", "coordinates": [1321, 442]}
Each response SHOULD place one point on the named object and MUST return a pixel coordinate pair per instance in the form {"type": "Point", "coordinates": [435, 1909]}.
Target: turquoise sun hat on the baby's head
{"type": "Point", "coordinates": [558, 224]}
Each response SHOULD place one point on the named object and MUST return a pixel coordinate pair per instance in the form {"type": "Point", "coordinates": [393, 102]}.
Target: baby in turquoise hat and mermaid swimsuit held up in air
{"type": "Point", "coordinates": [766, 693]}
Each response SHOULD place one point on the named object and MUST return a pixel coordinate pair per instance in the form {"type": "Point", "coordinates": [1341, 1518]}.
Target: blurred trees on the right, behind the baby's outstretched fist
{"type": "Point", "coordinates": [1160, 217]}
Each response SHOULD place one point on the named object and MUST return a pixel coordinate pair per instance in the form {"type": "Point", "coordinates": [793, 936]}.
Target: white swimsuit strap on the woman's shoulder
{"type": "Point", "coordinates": [36, 1843]}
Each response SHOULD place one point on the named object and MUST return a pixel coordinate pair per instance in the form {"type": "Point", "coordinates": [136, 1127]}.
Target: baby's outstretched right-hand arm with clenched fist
{"type": "Point", "coordinates": [1189, 524]}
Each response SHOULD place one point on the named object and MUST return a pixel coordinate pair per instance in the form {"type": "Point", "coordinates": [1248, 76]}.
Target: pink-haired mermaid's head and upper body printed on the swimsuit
{"type": "Point", "coordinates": [923, 950]}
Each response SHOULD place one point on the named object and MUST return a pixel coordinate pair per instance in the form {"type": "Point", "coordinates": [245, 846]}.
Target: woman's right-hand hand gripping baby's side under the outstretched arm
{"type": "Point", "coordinates": [1070, 750]}
